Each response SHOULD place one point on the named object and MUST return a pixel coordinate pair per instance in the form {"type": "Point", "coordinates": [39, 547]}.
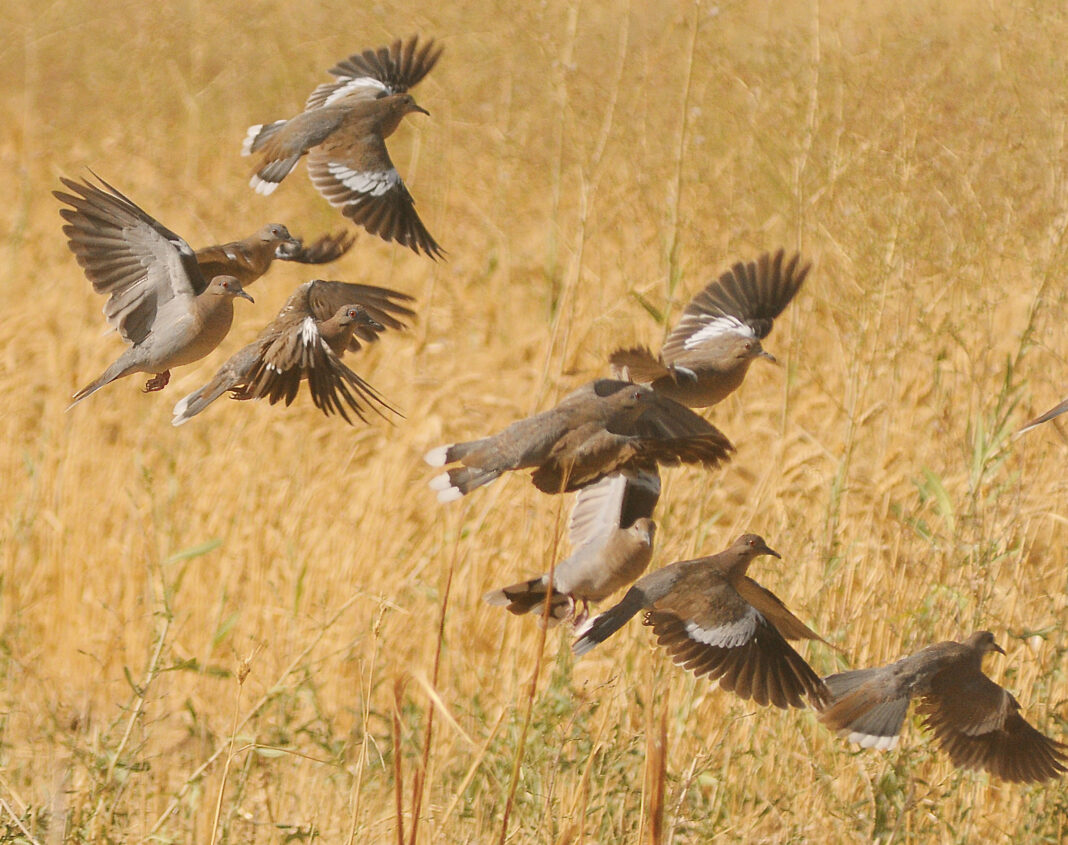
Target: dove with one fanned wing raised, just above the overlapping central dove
{"type": "Point", "coordinates": [706, 356]}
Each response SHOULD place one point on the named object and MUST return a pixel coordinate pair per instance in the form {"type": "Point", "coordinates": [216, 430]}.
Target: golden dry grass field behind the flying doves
{"type": "Point", "coordinates": [247, 630]}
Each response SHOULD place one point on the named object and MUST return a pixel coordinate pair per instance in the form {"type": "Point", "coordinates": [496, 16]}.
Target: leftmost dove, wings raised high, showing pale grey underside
{"type": "Point", "coordinates": [159, 300]}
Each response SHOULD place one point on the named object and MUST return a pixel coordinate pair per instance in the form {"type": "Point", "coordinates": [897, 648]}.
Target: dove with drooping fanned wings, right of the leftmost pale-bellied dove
{"type": "Point", "coordinates": [317, 326]}
